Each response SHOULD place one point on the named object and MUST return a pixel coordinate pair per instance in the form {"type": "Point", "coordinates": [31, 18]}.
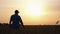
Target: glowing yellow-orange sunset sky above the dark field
{"type": "Point", "coordinates": [32, 12]}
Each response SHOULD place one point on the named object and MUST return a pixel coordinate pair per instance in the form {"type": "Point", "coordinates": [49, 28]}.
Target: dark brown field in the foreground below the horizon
{"type": "Point", "coordinates": [30, 29]}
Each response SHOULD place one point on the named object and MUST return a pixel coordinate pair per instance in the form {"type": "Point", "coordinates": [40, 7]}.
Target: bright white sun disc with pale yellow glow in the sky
{"type": "Point", "coordinates": [35, 10]}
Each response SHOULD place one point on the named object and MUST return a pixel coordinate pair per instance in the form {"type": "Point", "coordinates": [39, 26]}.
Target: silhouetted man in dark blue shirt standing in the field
{"type": "Point", "coordinates": [16, 20]}
